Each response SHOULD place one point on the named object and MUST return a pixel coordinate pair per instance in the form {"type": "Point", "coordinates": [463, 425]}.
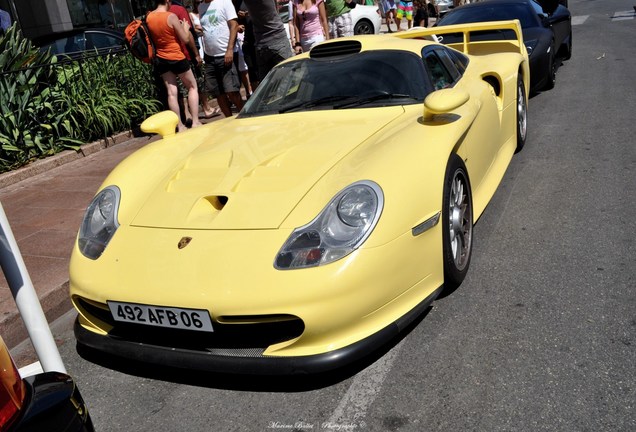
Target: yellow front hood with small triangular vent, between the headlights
{"type": "Point", "coordinates": [250, 173]}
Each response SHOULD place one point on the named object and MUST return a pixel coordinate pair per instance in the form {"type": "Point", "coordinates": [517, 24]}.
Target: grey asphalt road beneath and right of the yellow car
{"type": "Point", "coordinates": [540, 336]}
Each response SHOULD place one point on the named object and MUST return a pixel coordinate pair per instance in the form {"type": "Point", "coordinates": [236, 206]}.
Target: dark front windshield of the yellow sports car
{"type": "Point", "coordinates": [367, 79]}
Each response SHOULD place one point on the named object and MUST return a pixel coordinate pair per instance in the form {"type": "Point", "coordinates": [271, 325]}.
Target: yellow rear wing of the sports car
{"type": "Point", "coordinates": [483, 46]}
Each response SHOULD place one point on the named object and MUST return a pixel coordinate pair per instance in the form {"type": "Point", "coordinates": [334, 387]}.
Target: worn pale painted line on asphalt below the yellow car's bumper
{"type": "Point", "coordinates": [364, 389]}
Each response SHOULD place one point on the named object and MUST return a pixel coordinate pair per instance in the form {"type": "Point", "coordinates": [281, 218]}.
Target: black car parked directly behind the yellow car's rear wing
{"type": "Point", "coordinates": [547, 36]}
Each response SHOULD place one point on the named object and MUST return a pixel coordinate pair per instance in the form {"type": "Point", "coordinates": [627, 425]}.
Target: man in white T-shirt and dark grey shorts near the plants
{"type": "Point", "coordinates": [220, 27]}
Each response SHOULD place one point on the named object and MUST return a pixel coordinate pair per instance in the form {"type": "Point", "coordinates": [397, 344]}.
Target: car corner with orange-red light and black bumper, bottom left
{"type": "Point", "coordinates": [46, 402]}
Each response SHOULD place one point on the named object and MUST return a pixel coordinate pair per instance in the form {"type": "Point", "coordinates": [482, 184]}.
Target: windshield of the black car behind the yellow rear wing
{"type": "Point", "coordinates": [495, 12]}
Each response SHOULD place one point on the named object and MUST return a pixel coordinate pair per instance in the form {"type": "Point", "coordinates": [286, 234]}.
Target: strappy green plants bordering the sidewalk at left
{"type": "Point", "coordinates": [47, 105]}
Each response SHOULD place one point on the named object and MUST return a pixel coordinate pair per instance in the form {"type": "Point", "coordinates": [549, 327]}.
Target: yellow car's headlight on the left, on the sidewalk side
{"type": "Point", "coordinates": [100, 222]}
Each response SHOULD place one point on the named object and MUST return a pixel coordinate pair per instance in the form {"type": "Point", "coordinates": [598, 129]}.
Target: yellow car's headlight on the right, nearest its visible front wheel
{"type": "Point", "coordinates": [340, 228]}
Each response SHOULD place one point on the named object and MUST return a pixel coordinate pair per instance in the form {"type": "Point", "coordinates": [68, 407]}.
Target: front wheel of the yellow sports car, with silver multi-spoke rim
{"type": "Point", "coordinates": [457, 223]}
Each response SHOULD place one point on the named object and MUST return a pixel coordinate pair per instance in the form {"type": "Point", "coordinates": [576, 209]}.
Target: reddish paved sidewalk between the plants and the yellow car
{"type": "Point", "coordinates": [44, 203]}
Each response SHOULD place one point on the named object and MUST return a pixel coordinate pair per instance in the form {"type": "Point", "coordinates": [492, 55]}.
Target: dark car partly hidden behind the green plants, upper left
{"type": "Point", "coordinates": [81, 42]}
